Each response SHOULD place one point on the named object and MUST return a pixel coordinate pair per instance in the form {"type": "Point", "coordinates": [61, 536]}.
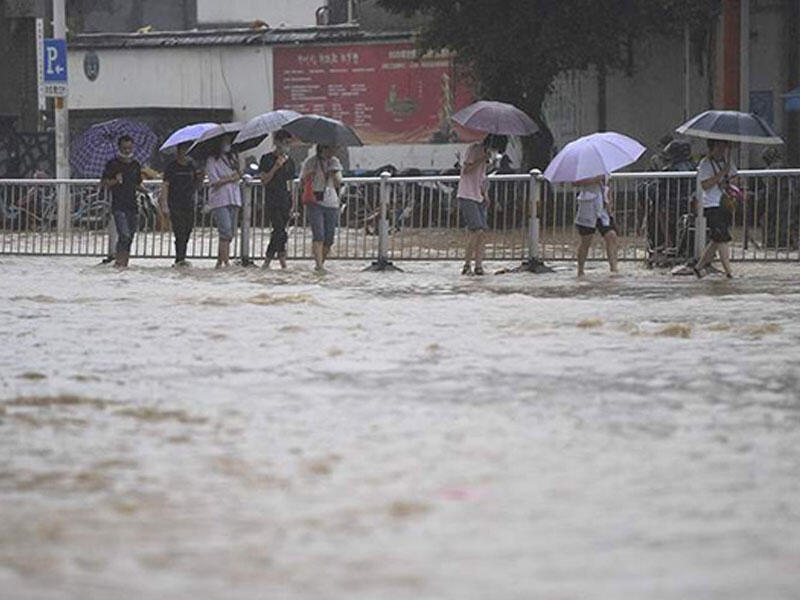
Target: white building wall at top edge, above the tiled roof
{"type": "Point", "coordinates": [276, 13]}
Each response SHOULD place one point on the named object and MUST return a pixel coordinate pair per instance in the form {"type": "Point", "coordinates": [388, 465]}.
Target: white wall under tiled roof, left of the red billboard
{"type": "Point", "coordinates": [227, 77]}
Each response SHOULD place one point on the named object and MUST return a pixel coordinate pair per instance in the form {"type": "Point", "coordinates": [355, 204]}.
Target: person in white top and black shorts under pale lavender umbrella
{"type": "Point", "coordinates": [594, 214]}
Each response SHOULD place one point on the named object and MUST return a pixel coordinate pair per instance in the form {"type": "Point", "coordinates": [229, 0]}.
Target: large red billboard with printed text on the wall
{"type": "Point", "coordinates": [383, 91]}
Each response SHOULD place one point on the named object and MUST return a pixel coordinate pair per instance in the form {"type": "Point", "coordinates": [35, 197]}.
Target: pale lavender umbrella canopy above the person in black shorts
{"type": "Point", "coordinates": [592, 156]}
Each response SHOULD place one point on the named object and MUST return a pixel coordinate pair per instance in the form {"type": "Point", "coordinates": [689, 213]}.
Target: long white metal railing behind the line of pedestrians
{"type": "Point", "coordinates": [418, 218]}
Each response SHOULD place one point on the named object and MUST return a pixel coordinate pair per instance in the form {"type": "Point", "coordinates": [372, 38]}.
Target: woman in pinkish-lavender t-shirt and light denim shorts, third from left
{"type": "Point", "coordinates": [224, 196]}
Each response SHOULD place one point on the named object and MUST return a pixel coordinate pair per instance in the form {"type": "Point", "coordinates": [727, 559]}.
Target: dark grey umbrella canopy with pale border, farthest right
{"type": "Point", "coordinates": [732, 126]}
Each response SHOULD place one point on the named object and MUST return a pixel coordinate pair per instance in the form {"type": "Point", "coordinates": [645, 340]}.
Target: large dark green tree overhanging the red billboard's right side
{"type": "Point", "coordinates": [515, 49]}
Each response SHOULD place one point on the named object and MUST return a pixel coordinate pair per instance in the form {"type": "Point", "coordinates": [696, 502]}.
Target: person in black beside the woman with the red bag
{"type": "Point", "coordinates": [276, 171]}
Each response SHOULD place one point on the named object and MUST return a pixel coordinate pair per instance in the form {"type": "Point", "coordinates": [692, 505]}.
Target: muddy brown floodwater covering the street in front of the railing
{"type": "Point", "coordinates": [247, 434]}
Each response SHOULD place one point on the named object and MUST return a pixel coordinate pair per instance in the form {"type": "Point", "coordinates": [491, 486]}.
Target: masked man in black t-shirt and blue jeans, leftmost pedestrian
{"type": "Point", "coordinates": [123, 176]}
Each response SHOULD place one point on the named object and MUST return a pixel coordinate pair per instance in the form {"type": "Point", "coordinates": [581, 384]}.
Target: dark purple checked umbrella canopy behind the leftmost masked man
{"type": "Point", "coordinates": [97, 145]}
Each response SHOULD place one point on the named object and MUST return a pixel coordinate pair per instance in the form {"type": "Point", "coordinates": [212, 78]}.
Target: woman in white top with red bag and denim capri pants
{"type": "Point", "coordinates": [323, 173]}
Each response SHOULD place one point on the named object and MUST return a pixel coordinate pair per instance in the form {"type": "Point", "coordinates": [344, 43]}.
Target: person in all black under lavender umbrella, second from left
{"type": "Point", "coordinates": [181, 178]}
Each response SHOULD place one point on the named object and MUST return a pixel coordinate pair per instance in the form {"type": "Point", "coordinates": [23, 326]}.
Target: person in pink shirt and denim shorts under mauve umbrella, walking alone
{"type": "Point", "coordinates": [473, 199]}
